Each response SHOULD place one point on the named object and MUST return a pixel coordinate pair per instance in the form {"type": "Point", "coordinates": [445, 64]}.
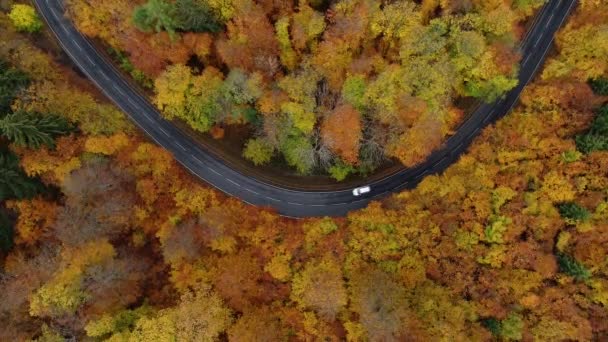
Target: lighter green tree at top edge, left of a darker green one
{"type": "Point", "coordinates": [157, 15]}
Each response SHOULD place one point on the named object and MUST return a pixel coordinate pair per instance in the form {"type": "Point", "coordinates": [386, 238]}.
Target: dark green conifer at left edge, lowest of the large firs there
{"type": "Point", "coordinates": [14, 183]}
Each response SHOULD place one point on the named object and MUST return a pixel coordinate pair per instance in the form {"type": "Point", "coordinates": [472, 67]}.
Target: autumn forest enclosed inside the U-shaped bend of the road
{"type": "Point", "coordinates": [321, 86]}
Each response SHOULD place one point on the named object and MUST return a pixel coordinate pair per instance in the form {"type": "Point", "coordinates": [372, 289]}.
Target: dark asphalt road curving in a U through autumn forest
{"type": "Point", "coordinates": [291, 202]}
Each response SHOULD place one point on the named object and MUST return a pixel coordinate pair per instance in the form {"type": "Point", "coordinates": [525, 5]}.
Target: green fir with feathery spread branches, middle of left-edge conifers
{"type": "Point", "coordinates": [32, 129]}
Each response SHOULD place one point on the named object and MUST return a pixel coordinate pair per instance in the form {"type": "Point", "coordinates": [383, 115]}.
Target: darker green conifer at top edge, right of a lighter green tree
{"type": "Point", "coordinates": [197, 16]}
